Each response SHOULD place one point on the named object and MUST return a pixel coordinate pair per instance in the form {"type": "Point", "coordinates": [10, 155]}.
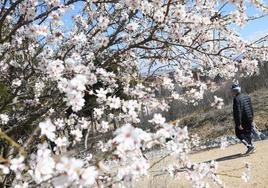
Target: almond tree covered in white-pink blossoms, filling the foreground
{"type": "Point", "coordinates": [70, 75]}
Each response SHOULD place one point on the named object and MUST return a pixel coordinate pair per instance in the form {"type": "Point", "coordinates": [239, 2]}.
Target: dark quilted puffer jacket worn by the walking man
{"type": "Point", "coordinates": [243, 111]}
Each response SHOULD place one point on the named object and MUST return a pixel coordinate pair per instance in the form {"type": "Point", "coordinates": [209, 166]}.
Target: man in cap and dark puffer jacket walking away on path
{"type": "Point", "coordinates": [243, 117]}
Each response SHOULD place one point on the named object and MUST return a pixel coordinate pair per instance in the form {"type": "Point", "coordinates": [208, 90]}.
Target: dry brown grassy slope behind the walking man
{"type": "Point", "coordinates": [215, 123]}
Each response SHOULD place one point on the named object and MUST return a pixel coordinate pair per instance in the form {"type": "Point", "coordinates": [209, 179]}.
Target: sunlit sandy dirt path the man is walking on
{"type": "Point", "coordinates": [230, 163]}
